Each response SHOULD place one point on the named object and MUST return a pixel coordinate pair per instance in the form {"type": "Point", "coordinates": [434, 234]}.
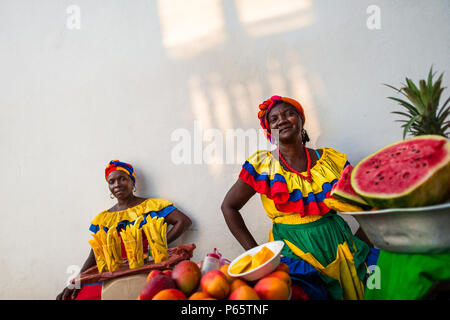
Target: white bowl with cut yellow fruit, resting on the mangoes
{"type": "Point", "coordinates": [257, 262]}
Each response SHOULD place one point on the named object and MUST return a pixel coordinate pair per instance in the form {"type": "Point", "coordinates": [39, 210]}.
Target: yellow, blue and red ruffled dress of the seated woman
{"type": "Point", "coordinates": [149, 208]}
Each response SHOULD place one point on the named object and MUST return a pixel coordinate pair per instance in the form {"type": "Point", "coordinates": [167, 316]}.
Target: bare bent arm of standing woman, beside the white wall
{"type": "Point", "coordinates": [235, 199]}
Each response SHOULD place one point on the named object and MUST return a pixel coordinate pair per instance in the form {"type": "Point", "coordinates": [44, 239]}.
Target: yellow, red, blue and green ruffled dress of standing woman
{"type": "Point", "coordinates": [320, 249]}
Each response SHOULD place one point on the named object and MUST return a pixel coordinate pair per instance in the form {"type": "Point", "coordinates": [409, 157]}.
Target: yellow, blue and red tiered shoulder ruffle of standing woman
{"type": "Point", "coordinates": [289, 192]}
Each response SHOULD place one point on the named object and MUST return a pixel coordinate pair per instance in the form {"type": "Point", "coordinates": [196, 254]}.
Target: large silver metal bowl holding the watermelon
{"type": "Point", "coordinates": [408, 230]}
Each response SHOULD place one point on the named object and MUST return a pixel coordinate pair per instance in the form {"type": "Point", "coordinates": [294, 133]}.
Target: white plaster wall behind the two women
{"type": "Point", "coordinates": [136, 71]}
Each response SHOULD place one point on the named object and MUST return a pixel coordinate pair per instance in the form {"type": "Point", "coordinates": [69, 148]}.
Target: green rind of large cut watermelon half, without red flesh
{"type": "Point", "coordinates": [433, 188]}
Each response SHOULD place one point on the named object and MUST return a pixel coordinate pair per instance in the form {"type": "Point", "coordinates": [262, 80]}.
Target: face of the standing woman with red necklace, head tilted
{"type": "Point", "coordinates": [287, 120]}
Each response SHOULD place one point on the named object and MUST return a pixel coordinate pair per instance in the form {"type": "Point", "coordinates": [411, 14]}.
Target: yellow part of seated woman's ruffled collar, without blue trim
{"type": "Point", "coordinates": [112, 219]}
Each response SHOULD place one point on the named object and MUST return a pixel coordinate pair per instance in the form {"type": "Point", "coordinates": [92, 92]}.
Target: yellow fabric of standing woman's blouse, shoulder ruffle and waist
{"type": "Point", "coordinates": [327, 169]}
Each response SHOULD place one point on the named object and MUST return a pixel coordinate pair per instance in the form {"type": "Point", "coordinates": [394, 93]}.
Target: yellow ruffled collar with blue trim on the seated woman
{"type": "Point", "coordinates": [120, 219]}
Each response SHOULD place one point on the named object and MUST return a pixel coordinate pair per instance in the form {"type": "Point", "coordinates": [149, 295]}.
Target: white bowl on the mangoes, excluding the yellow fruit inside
{"type": "Point", "coordinates": [264, 269]}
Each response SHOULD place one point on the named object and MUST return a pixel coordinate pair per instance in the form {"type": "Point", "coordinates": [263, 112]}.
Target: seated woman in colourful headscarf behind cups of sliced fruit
{"type": "Point", "coordinates": [121, 180]}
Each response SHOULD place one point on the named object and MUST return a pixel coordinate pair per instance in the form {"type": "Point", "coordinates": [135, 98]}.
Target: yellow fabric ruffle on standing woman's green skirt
{"type": "Point", "coordinates": [342, 269]}
